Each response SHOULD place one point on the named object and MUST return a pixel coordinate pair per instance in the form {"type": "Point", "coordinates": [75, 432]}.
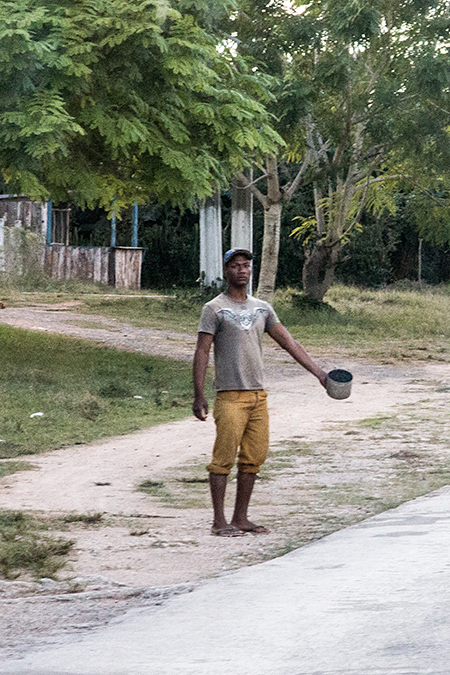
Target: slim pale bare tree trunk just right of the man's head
{"type": "Point", "coordinates": [271, 246]}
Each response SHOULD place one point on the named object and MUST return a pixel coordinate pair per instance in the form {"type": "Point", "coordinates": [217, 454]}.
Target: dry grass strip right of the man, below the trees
{"type": "Point", "coordinates": [386, 325]}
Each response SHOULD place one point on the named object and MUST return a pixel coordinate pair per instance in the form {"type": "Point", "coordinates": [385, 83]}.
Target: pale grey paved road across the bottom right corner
{"type": "Point", "coordinates": [372, 599]}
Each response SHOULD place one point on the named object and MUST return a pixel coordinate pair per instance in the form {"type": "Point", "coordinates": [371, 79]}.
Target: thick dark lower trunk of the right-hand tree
{"type": "Point", "coordinates": [318, 270]}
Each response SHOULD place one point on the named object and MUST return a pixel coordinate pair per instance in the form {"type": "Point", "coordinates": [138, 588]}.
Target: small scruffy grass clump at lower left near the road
{"type": "Point", "coordinates": [26, 547]}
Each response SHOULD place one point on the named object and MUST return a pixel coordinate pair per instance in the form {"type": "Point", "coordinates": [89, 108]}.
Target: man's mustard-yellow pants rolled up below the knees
{"type": "Point", "coordinates": [242, 421]}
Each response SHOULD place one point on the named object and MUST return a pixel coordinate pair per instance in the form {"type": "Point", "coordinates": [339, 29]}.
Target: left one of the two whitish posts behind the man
{"type": "Point", "coordinates": [211, 265]}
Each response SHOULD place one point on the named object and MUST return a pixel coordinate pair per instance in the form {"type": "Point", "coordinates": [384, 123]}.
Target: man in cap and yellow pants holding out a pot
{"type": "Point", "coordinates": [236, 323]}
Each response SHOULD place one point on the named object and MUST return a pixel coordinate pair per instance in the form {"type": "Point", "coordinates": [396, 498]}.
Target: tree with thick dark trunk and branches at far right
{"type": "Point", "coordinates": [381, 73]}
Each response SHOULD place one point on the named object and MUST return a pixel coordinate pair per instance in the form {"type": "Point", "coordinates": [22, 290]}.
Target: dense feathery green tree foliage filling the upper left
{"type": "Point", "coordinates": [105, 99]}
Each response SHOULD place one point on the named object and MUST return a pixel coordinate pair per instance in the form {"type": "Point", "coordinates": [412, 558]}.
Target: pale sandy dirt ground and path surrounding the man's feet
{"type": "Point", "coordinates": [149, 545]}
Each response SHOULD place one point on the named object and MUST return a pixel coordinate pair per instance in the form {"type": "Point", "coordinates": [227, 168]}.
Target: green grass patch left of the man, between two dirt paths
{"type": "Point", "coordinates": [84, 391]}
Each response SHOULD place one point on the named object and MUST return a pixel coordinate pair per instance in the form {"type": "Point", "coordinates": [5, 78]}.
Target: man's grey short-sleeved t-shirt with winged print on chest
{"type": "Point", "coordinates": [238, 328]}
